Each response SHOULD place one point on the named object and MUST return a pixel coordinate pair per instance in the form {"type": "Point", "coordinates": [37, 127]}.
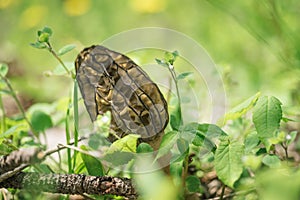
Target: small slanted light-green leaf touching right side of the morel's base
{"type": "Point", "coordinates": [167, 143]}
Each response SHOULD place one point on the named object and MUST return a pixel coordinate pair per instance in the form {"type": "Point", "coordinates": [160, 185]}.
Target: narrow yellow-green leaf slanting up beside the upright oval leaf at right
{"type": "Point", "coordinates": [242, 108]}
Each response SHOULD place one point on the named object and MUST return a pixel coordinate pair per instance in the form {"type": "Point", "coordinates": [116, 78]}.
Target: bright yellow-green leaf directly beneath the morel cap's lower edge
{"type": "Point", "coordinates": [125, 144]}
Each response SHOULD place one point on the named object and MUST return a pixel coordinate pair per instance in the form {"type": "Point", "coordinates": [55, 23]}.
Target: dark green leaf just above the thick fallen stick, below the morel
{"type": "Point", "coordinates": [93, 165]}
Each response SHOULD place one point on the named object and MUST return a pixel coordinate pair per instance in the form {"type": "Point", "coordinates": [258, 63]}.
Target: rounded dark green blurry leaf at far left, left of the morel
{"type": "Point", "coordinates": [40, 121]}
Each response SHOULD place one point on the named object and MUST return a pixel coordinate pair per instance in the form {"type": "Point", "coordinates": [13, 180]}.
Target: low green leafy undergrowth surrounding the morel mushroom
{"type": "Point", "coordinates": [245, 157]}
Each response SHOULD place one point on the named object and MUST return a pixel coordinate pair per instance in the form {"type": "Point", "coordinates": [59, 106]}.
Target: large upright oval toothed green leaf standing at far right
{"type": "Point", "coordinates": [266, 118]}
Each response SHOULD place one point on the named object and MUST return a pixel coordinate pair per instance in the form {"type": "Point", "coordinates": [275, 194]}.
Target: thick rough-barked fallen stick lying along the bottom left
{"type": "Point", "coordinates": [72, 184]}
